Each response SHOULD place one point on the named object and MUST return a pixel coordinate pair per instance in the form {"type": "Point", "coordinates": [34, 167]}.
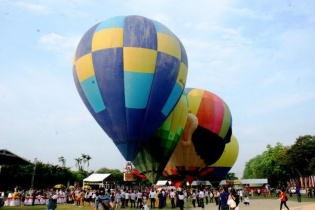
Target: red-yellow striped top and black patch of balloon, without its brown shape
{"type": "Point", "coordinates": [214, 123]}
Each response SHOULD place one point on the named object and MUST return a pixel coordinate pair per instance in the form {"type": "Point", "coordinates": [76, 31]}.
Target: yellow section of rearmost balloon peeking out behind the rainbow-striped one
{"type": "Point", "coordinates": [229, 156]}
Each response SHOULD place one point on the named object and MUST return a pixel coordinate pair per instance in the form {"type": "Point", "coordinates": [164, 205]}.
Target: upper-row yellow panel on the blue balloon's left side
{"type": "Point", "coordinates": [108, 38]}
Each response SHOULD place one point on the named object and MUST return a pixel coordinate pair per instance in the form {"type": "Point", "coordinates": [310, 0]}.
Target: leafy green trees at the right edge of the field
{"type": "Point", "coordinates": [280, 163]}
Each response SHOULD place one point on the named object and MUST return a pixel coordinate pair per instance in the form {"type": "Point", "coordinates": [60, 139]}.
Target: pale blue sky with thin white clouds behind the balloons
{"type": "Point", "coordinates": [258, 56]}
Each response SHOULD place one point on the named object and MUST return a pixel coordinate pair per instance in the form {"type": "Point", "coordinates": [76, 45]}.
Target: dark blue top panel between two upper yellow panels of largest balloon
{"type": "Point", "coordinates": [139, 32]}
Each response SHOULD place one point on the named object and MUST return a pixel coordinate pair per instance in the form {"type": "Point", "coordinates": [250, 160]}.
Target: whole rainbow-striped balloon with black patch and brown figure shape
{"type": "Point", "coordinates": [208, 129]}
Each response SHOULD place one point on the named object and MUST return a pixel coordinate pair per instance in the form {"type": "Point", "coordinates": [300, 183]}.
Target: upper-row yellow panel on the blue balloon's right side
{"type": "Point", "coordinates": [169, 45]}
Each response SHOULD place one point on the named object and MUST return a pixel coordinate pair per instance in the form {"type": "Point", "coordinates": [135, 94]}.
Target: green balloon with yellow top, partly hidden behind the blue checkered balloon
{"type": "Point", "coordinates": [153, 157]}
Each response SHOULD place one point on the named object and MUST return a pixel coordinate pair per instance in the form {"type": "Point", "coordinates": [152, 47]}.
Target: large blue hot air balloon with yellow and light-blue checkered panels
{"type": "Point", "coordinates": [130, 73]}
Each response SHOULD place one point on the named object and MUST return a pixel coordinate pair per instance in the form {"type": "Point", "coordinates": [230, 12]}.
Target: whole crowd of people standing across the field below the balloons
{"type": "Point", "coordinates": [150, 198]}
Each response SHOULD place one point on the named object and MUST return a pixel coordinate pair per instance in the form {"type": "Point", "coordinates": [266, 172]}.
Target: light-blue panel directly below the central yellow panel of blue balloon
{"type": "Point", "coordinates": [137, 94]}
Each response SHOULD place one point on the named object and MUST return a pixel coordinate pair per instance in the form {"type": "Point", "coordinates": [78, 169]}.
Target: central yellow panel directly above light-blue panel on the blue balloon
{"type": "Point", "coordinates": [139, 59]}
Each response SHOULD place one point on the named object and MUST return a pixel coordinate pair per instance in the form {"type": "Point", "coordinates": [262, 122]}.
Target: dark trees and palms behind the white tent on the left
{"type": "Point", "coordinates": [46, 175]}
